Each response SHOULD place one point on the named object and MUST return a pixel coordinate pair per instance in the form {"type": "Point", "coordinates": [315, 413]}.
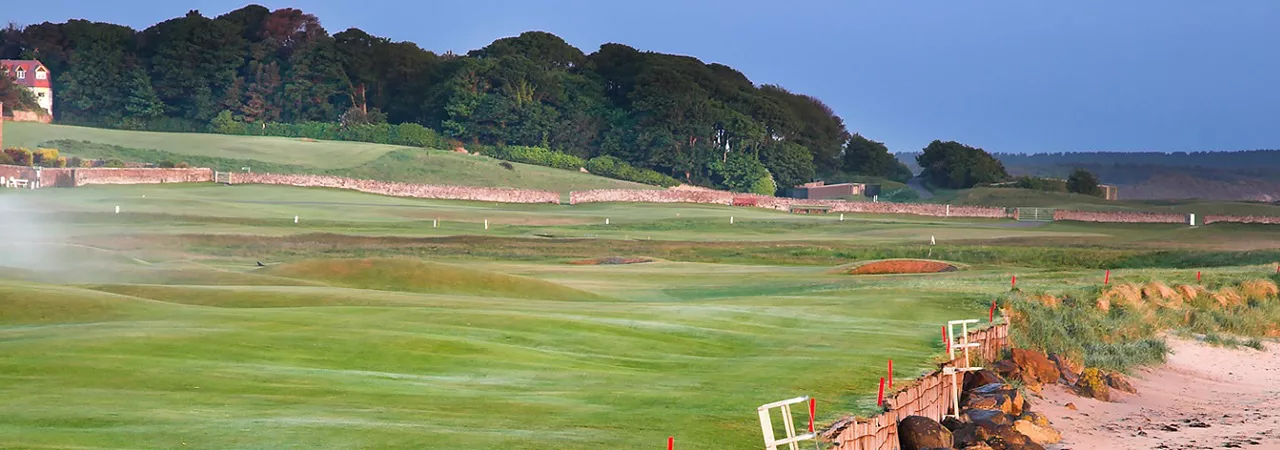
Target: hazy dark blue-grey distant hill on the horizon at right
{"type": "Point", "coordinates": [1237, 176]}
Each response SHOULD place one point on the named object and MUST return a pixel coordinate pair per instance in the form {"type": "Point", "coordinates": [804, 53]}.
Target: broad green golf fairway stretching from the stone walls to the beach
{"type": "Point", "coordinates": [369, 328]}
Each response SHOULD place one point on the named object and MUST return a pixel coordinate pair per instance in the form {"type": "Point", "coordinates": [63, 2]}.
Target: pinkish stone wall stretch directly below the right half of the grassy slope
{"type": "Point", "coordinates": [405, 190]}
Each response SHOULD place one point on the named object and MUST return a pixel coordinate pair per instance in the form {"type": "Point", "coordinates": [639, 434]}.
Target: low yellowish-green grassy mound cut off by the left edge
{"type": "Point", "coordinates": [38, 305]}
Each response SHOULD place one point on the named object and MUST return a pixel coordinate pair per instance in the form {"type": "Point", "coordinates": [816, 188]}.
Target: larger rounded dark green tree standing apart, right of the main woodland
{"type": "Point", "coordinates": [954, 166]}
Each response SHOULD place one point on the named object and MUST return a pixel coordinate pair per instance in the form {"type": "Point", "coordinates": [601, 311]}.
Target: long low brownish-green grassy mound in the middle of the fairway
{"type": "Point", "coordinates": [418, 277]}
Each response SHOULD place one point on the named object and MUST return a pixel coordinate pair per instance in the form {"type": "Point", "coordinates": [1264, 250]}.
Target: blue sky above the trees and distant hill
{"type": "Point", "coordinates": [1009, 76]}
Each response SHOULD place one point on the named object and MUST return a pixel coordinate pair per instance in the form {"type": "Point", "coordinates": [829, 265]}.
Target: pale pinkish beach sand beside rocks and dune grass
{"type": "Point", "coordinates": [1204, 398]}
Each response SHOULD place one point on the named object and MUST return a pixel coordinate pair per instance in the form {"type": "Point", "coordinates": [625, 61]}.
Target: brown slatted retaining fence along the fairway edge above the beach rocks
{"type": "Point", "coordinates": [927, 397]}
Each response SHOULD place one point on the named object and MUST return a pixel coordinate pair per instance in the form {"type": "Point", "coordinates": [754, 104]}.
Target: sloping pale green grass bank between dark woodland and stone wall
{"type": "Point", "coordinates": [296, 157]}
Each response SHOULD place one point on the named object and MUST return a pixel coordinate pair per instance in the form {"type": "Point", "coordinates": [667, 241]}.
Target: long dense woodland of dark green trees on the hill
{"type": "Point", "coordinates": [255, 70]}
